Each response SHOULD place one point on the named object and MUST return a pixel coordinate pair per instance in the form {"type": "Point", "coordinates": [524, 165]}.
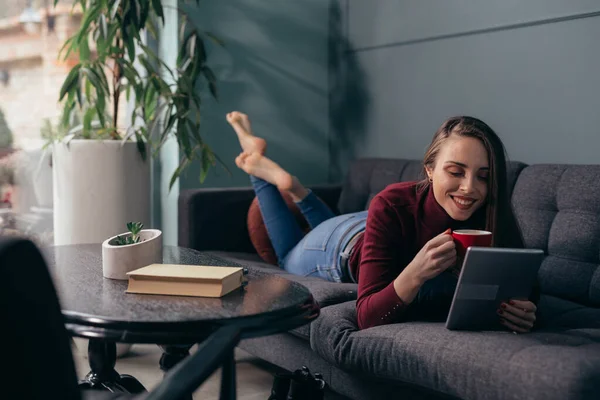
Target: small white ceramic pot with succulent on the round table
{"type": "Point", "coordinates": [117, 261]}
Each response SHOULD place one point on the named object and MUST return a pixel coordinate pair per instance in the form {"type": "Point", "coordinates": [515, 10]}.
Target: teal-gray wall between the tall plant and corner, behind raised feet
{"type": "Point", "coordinates": [274, 68]}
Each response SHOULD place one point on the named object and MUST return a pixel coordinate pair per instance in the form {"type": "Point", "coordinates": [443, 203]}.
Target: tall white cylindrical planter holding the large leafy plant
{"type": "Point", "coordinates": [99, 186]}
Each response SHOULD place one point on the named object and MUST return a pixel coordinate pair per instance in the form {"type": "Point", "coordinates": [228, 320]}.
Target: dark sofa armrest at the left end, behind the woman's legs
{"type": "Point", "coordinates": [215, 218]}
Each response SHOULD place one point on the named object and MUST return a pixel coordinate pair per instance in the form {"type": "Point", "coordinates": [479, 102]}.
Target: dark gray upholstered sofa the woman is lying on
{"type": "Point", "coordinates": [558, 208]}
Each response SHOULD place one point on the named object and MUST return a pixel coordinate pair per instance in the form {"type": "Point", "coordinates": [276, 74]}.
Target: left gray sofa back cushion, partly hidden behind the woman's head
{"type": "Point", "coordinates": [368, 176]}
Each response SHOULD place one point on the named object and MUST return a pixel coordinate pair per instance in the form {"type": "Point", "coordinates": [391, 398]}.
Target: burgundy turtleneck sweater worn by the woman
{"type": "Point", "coordinates": [401, 221]}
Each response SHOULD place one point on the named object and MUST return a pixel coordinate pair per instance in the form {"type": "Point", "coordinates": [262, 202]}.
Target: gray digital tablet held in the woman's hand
{"type": "Point", "coordinates": [490, 276]}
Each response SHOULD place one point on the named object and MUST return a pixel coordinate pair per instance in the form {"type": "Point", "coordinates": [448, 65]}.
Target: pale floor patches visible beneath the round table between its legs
{"type": "Point", "coordinates": [253, 382]}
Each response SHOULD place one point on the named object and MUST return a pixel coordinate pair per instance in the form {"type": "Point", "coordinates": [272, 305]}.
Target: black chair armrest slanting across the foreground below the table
{"type": "Point", "coordinates": [190, 373]}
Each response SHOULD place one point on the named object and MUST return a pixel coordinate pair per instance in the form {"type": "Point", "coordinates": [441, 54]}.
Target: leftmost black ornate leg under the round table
{"type": "Point", "coordinates": [102, 356]}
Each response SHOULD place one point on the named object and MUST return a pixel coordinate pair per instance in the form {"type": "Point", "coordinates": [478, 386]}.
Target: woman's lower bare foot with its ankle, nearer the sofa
{"type": "Point", "coordinates": [260, 166]}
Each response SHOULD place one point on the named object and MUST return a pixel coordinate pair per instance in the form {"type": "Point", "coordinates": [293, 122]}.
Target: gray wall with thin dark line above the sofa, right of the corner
{"type": "Point", "coordinates": [530, 69]}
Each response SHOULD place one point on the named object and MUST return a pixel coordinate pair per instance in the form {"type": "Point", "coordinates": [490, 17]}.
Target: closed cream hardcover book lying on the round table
{"type": "Point", "coordinates": [185, 280]}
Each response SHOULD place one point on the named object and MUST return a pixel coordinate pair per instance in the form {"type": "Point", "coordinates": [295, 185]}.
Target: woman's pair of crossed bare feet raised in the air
{"type": "Point", "coordinates": [253, 161]}
